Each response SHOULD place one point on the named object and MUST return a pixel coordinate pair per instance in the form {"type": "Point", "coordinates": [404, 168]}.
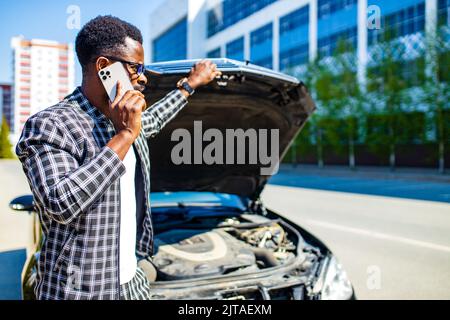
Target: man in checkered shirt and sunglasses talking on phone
{"type": "Point", "coordinates": [87, 163]}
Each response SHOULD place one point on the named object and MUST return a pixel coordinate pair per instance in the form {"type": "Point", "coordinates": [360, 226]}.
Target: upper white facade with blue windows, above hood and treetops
{"type": "Point", "coordinates": [283, 34]}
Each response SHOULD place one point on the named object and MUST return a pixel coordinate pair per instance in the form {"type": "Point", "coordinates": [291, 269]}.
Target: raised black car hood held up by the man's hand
{"type": "Point", "coordinates": [247, 97]}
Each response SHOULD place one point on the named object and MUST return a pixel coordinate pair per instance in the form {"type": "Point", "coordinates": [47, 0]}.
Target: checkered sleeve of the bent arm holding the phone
{"type": "Point", "coordinates": [49, 157]}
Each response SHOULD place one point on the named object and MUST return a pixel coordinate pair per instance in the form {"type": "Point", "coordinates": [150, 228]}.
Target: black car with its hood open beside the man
{"type": "Point", "coordinates": [214, 238]}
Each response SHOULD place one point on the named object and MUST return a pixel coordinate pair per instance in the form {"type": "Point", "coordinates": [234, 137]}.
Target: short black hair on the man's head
{"type": "Point", "coordinates": [104, 35]}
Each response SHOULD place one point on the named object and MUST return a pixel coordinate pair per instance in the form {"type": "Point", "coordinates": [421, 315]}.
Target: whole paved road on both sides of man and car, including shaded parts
{"type": "Point", "coordinates": [404, 241]}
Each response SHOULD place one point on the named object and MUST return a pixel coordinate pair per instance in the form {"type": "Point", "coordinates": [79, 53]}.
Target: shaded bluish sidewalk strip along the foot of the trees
{"type": "Point", "coordinates": [371, 172]}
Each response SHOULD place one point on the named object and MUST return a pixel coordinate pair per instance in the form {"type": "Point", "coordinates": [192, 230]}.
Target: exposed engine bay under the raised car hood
{"type": "Point", "coordinates": [216, 246]}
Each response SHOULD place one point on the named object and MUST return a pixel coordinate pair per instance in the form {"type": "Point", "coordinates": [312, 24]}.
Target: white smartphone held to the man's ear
{"type": "Point", "coordinates": [110, 75]}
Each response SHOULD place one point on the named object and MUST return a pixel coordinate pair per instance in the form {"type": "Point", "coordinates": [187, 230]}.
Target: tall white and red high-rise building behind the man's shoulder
{"type": "Point", "coordinates": [43, 74]}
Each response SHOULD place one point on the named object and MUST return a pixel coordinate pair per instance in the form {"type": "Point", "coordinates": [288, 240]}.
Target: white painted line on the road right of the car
{"type": "Point", "coordinates": [379, 235]}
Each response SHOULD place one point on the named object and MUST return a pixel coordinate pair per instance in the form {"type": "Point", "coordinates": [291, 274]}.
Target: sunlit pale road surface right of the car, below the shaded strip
{"type": "Point", "coordinates": [392, 248]}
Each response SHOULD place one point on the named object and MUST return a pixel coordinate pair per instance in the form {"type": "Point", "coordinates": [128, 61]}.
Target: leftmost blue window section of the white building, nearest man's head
{"type": "Point", "coordinates": [172, 44]}
